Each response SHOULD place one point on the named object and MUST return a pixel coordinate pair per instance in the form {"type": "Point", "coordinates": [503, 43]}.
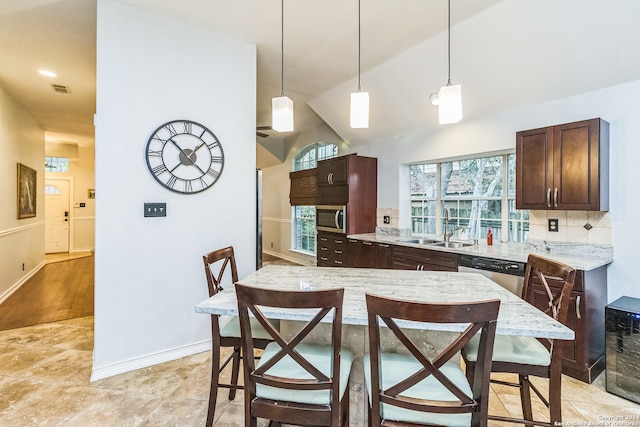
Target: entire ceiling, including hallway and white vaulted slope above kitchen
{"type": "Point", "coordinates": [498, 60]}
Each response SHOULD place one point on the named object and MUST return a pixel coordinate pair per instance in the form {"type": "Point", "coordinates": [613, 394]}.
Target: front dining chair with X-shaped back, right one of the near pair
{"type": "Point", "coordinates": [412, 389]}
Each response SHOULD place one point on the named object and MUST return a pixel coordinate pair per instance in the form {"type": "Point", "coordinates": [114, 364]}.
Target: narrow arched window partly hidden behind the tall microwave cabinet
{"type": "Point", "coordinates": [304, 217]}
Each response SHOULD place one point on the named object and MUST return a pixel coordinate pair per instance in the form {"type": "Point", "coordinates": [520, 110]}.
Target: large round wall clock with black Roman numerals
{"type": "Point", "coordinates": [184, 156]}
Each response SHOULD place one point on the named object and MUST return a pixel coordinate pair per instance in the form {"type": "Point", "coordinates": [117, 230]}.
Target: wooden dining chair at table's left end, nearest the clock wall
{"type": "Point", "coordinates": [225, 332]}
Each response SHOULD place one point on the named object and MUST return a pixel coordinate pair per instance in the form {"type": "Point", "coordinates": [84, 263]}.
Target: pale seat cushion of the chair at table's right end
{"type": "Point", "coordinates": [514, 349]}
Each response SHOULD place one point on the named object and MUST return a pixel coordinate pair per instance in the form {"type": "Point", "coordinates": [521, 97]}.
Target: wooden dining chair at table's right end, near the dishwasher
{"type": "Point", "coordinates": [547, 285]}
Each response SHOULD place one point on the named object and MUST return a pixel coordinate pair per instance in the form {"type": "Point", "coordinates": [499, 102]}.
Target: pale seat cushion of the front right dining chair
{"type": "Point", "coordinates": [397, 366]}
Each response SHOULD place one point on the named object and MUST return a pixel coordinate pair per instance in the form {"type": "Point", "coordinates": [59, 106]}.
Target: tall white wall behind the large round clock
{"type": "Point", "coordinates": [148, 271]}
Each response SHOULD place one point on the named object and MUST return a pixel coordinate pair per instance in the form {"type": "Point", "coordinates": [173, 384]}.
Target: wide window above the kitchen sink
{"type": "Point", "coordinates": [474, 192]}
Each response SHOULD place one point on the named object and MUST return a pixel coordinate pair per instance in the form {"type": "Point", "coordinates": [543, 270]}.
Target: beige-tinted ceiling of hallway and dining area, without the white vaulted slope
{"type": "Point", "coordinates": [320, 48]}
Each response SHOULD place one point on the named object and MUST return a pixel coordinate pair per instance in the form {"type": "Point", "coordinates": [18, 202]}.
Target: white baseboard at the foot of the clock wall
{"type": "Point", "coordinates": [148, 360]}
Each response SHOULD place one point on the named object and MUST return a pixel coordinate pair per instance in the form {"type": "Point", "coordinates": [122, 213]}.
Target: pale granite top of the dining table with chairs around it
{"type": "Point", "coordinates": [516, 316]}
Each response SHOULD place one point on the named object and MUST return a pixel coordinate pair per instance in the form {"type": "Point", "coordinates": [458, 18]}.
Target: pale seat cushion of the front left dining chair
{"type": "Point", "coordinates": [319, 356]}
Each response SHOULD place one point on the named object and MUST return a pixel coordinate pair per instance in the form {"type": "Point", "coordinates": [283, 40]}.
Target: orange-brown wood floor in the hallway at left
{"type": "Point", "coordinates": [59, 291]}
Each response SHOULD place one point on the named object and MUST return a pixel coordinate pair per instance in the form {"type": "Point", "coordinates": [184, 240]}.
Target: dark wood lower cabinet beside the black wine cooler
{"type": "Point", "coordinates": [583, 358]}
